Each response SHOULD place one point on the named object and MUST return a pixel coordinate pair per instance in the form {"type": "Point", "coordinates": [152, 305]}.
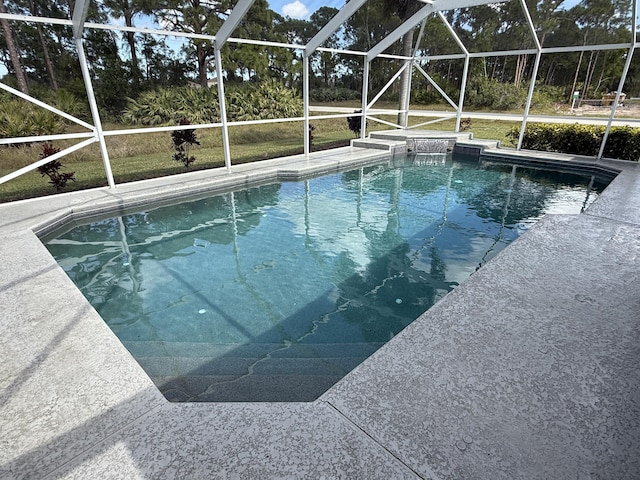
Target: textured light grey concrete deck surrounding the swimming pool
{"type": "Point", "coordinates": [528, 370]}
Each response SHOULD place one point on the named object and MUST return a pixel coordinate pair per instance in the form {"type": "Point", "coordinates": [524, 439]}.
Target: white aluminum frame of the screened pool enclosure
{"type": "Point", "coordinates": [97, 134]}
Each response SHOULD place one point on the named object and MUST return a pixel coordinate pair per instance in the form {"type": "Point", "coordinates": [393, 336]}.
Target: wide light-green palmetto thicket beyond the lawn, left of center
{"type": "Point", "coordinates": [250, 101]}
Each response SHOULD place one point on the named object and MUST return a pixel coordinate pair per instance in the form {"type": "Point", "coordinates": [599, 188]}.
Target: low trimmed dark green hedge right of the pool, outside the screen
{"type": "Point", "coordinates": [622, 143]}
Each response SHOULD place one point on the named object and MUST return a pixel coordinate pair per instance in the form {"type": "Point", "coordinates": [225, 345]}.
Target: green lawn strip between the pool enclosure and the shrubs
{"type": "Point", "coordinates": [149, 155]}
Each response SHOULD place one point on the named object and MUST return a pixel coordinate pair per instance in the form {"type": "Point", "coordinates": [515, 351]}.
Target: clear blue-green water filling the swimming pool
{"type": "Point", "coordinates": [276, 292]}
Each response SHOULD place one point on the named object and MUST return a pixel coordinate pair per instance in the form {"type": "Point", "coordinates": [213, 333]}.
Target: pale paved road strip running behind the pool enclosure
{"type": "Point", "coordinates": [619, 121]}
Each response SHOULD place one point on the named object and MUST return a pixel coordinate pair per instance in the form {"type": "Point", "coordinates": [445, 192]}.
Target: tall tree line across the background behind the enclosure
{"type": "Point", "coordinates": [41, 58]}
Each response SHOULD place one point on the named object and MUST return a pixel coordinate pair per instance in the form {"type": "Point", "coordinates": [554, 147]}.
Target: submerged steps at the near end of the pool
{"type": "Point", "coordinates": [257, 372]}
